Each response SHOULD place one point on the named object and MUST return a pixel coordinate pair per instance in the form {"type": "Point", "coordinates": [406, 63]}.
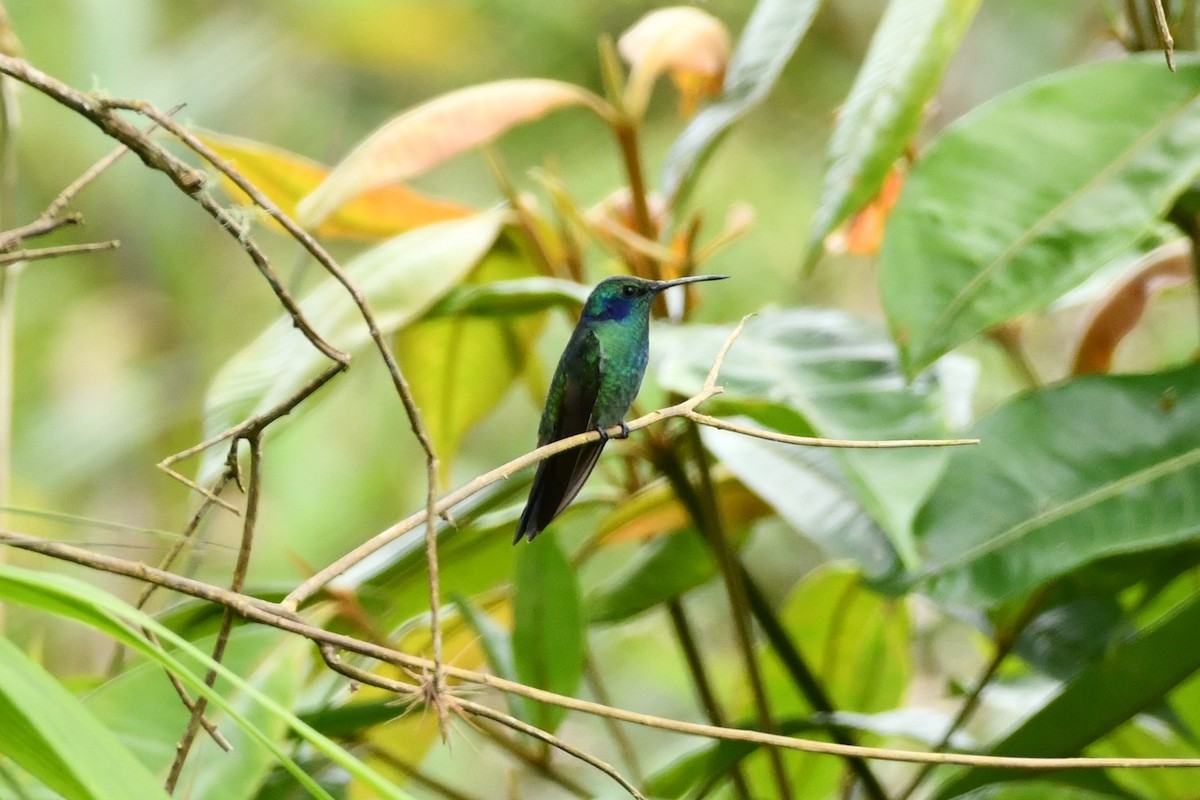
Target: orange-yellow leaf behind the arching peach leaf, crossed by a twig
{"type": "Point", "coordinates": [285, 178]}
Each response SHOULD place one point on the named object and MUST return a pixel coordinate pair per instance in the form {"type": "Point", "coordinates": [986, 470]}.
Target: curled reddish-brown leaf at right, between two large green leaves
{"type": "Point", "coordinates": [1163, 268]}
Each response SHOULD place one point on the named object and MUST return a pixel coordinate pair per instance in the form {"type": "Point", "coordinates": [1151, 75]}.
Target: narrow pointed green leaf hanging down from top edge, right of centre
{"type": "Point", "coordinates": [903, 69]}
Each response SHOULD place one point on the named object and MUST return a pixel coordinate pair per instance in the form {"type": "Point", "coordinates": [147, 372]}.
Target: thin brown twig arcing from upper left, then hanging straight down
{"type": "Point", "coordinates": [398, 377]}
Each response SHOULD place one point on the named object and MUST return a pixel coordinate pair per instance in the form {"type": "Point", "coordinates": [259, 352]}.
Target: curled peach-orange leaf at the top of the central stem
{"type": "Point", "coordinates": [689, 44]}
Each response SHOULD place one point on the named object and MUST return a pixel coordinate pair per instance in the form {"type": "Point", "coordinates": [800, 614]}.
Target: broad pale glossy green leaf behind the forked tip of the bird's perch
{"type": "Point", "coordinates": [826, 374]}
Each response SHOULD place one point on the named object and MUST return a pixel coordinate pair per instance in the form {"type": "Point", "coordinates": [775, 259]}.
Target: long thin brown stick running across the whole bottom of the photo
{"type": "Point", "coordinates": [275, 616]}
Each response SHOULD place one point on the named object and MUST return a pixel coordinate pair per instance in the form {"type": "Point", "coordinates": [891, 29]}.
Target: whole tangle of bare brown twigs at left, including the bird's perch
{"type": "Point", "coordinates": [428, 677]}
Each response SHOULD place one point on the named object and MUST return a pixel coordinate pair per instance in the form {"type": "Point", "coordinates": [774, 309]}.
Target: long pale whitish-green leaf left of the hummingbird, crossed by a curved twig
{"type": "Point", "coordinates": [400, 280]}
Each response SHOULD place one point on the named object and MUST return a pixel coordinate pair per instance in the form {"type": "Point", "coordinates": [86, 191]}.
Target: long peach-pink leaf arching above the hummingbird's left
{"type": "Point", "coordinates": [436, 131]}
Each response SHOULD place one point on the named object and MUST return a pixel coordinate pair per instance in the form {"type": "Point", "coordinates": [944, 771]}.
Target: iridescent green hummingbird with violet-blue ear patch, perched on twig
{"type": "Point", "coordinates": [597, 381]}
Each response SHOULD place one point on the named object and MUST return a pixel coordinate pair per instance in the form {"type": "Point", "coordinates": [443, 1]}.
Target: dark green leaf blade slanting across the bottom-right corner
{"type": "Point", "coordinates": [1130, 678]}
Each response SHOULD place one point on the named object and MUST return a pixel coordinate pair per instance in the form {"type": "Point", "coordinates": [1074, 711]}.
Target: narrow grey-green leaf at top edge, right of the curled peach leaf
{"type": "Point", "coordinates": [766, 46]}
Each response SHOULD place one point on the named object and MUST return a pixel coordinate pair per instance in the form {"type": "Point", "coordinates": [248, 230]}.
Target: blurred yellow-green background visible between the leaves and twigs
{"type": "Point", "coordinates": [116, 350]}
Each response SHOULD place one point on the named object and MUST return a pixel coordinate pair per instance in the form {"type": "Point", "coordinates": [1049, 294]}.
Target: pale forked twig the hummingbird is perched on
{"type": "Point", "coordinates": [686, 410]}
